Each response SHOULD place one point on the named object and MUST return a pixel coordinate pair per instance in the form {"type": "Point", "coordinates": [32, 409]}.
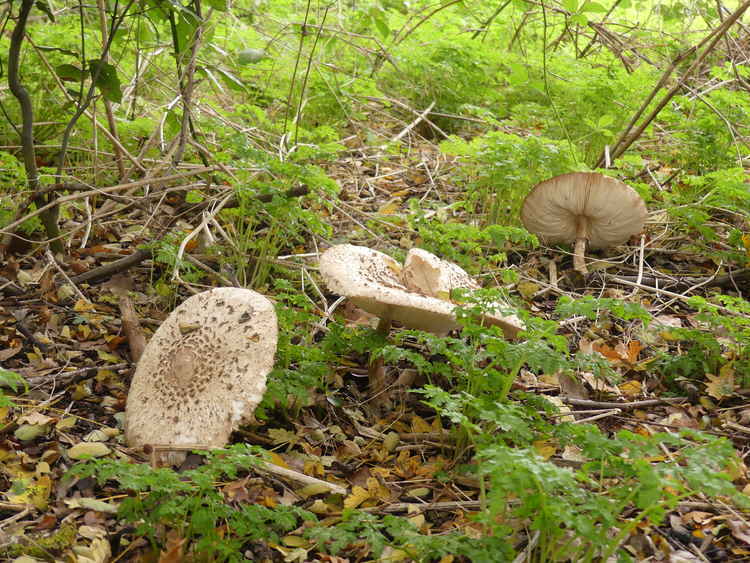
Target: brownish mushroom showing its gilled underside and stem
{"type": "Point", "coordinates": [586, 208]}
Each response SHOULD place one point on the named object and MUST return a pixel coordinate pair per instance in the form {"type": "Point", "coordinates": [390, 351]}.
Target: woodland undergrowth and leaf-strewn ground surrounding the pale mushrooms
{"type": "Point", "coordinates": [151, 150]}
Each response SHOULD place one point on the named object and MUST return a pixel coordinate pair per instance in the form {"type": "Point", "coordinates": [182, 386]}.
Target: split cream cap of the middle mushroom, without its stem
{"type": "Point", "coordinates": [373, 281]}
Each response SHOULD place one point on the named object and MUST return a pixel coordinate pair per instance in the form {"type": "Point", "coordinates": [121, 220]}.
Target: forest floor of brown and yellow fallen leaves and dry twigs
{"type": "Point", "coordinates": [352, 460]}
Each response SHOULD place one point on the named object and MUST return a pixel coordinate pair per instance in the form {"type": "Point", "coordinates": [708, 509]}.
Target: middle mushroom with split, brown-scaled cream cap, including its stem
{"type": "Point", "coordinates": [375, 282]}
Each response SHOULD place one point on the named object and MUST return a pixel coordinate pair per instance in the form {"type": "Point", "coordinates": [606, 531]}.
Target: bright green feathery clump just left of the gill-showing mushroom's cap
{"type": "Point", "coordinates": [499, 169]}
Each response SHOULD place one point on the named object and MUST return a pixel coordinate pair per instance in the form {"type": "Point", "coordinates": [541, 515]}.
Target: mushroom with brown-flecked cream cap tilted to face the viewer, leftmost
{"type": "Point", "coordinates": [203, 372]}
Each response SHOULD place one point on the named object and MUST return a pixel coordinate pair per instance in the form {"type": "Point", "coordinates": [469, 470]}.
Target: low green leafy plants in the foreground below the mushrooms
{"type": "Point", "coordinates": [501, 438]}
